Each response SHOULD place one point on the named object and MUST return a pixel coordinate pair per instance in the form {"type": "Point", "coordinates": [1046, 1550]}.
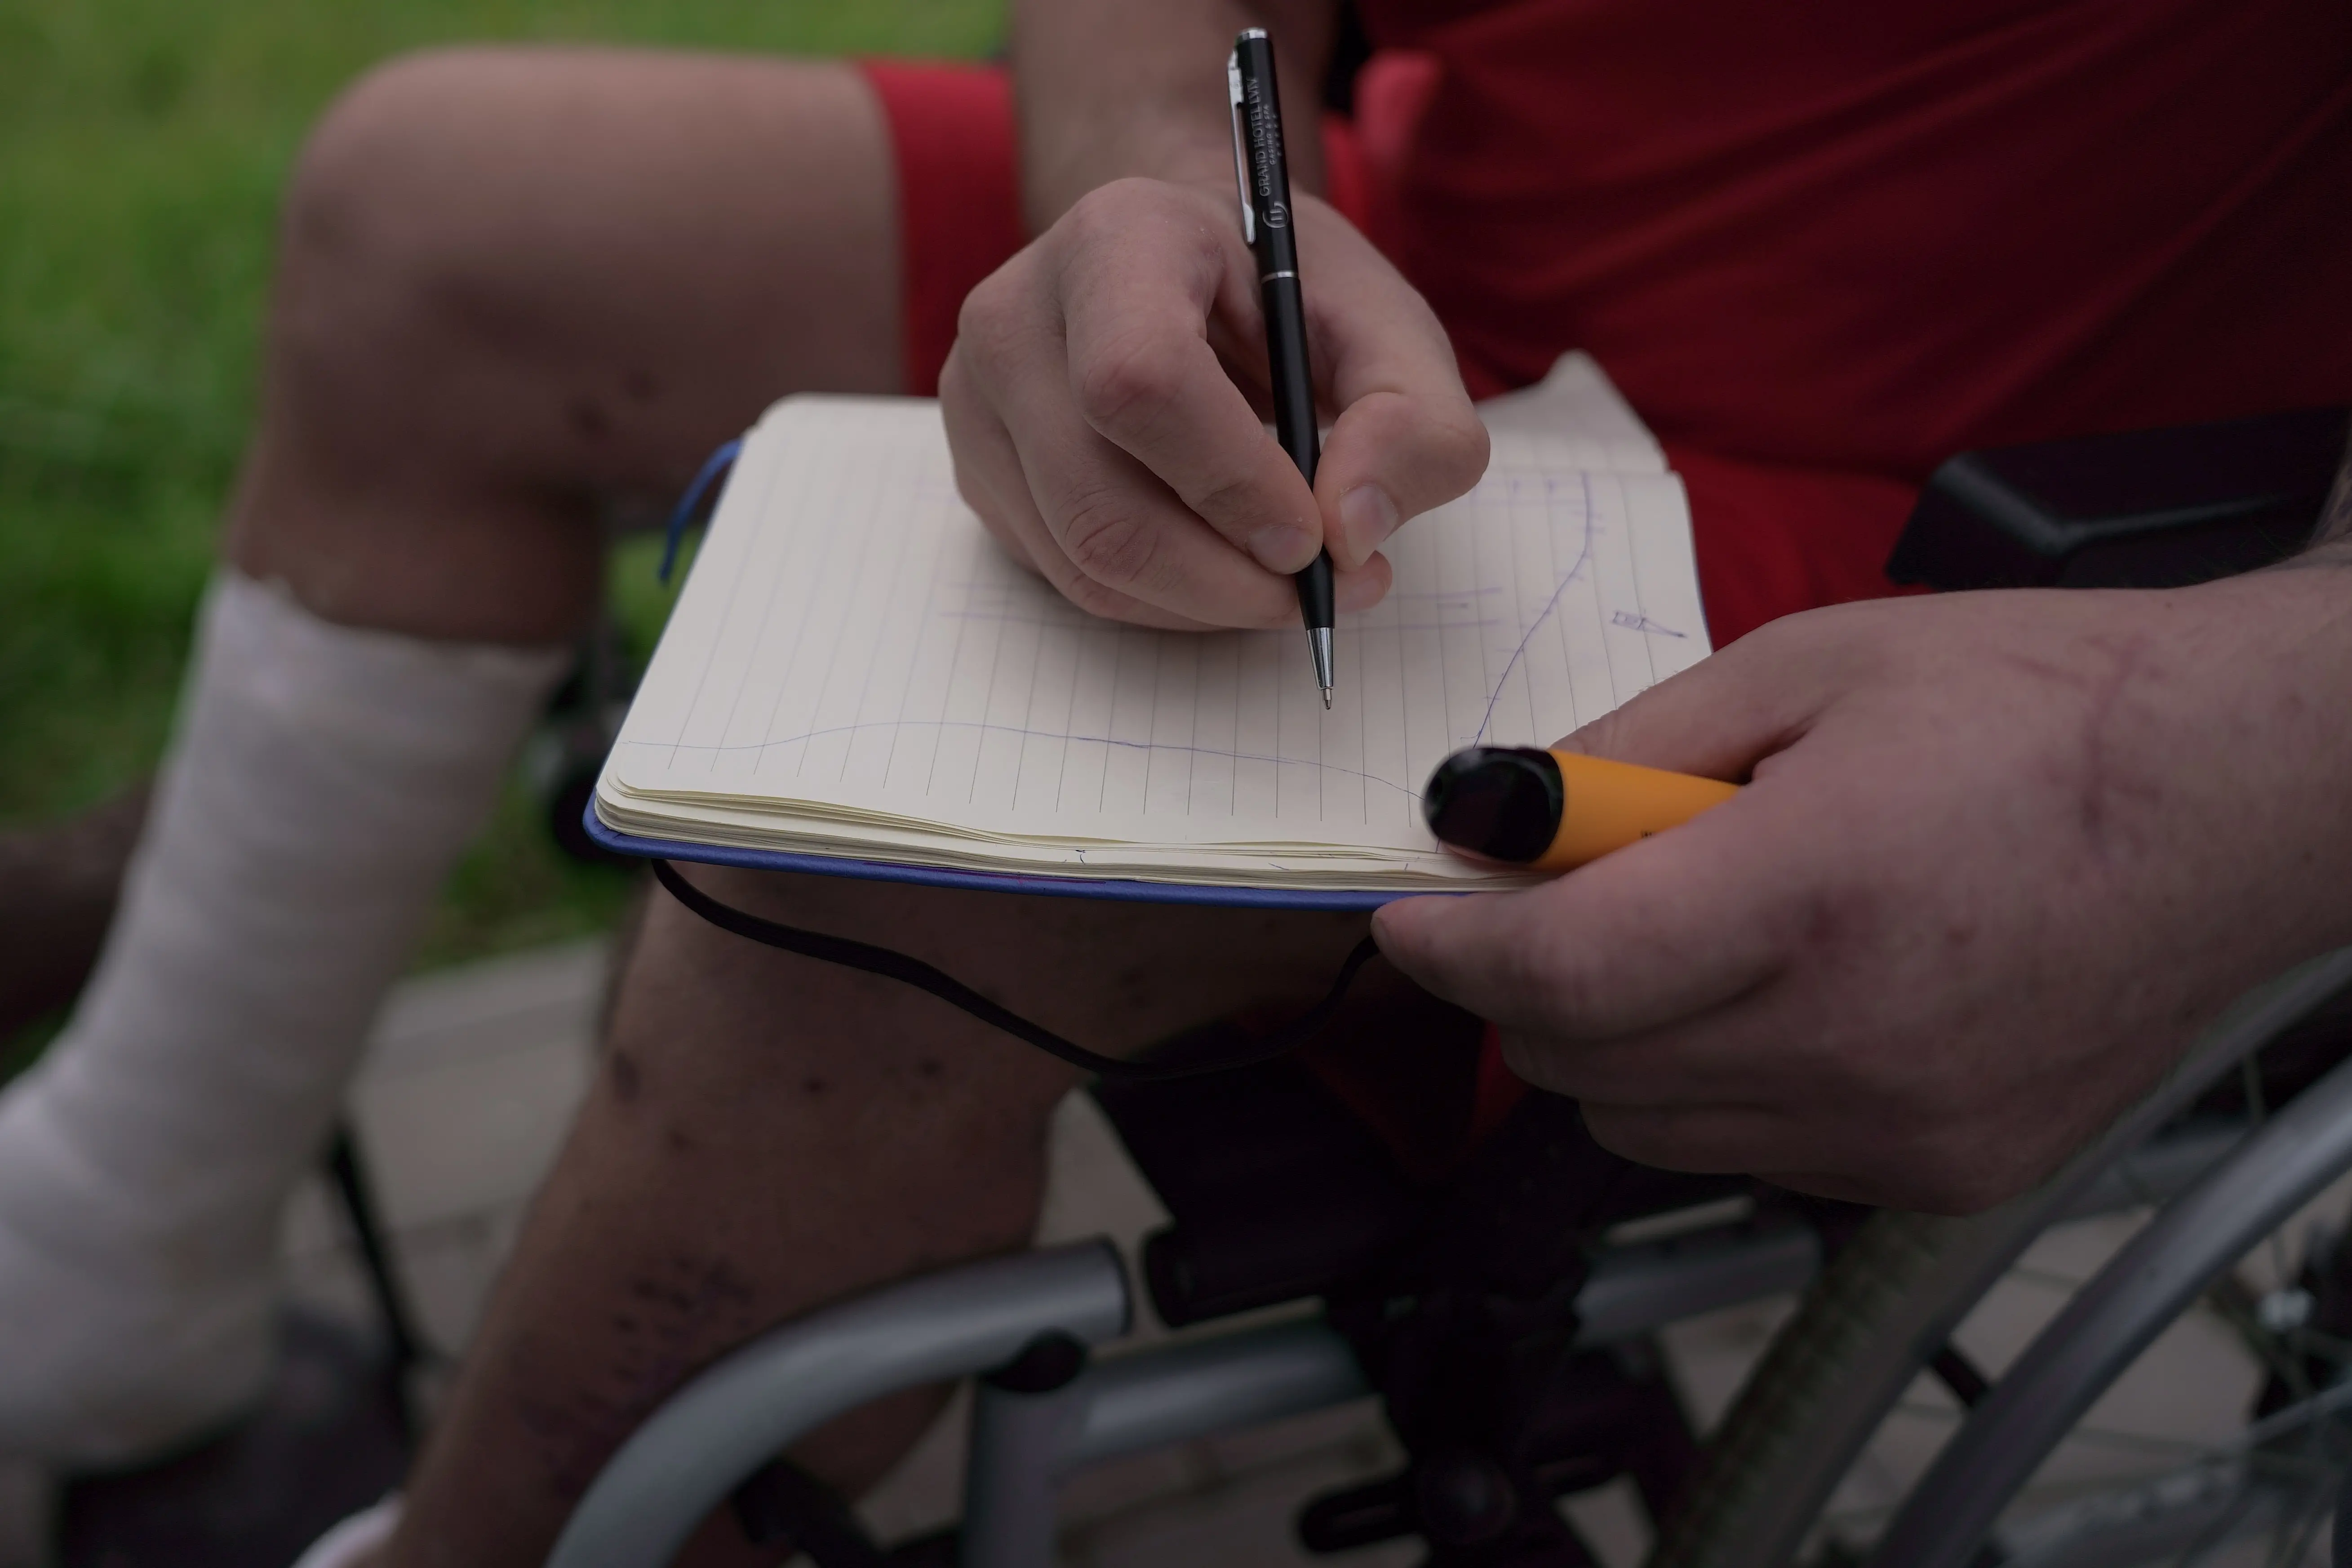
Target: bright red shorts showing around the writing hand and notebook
{"type": "Point", "coordinates": [1770, 540]}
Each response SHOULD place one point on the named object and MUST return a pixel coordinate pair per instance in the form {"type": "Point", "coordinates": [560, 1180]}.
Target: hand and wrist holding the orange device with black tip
{"type": "Point", "coordinates": [2000, 857]}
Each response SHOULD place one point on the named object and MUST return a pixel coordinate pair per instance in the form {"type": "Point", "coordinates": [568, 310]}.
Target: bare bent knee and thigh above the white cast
{"type": "Point", "coordinates": [514, 279]}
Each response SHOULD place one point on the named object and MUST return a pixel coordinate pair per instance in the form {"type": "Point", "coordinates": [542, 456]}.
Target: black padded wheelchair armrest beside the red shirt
{"type": "Point", "coordinates": [2146, 509]}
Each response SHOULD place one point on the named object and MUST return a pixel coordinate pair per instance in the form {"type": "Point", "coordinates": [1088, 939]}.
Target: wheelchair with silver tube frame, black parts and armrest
{"type": "Point", "coordinates": [1459, 1247]}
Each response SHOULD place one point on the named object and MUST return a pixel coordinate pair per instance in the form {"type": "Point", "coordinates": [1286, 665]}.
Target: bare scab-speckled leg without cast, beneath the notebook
{"type": "Point", "coordinates": [773, 1134]}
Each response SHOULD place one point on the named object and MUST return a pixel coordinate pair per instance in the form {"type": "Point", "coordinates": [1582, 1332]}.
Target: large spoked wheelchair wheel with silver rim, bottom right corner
{"type": "Point", "coordinates": [1956, 1393]}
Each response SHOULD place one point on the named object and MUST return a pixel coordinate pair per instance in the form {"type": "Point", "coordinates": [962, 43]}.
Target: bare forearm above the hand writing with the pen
{"type": "Point", "coordinates": [1116, 88]}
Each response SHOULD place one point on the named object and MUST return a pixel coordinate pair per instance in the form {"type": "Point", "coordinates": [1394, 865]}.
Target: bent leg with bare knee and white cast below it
{"type": "Point", "coordinates": [512, 279]}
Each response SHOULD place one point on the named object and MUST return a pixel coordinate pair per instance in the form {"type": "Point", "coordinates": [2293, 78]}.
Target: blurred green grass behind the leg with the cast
{"type": "Point", "coordinates": [142, 147]}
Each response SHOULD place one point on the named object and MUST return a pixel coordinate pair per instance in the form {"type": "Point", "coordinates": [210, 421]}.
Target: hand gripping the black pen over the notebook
{"type": "Point", "coordinates": [1102, 429]}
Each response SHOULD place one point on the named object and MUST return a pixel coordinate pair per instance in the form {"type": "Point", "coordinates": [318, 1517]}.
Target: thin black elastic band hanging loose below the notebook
{"type": "Point", "coordinates": [914, 972]}
